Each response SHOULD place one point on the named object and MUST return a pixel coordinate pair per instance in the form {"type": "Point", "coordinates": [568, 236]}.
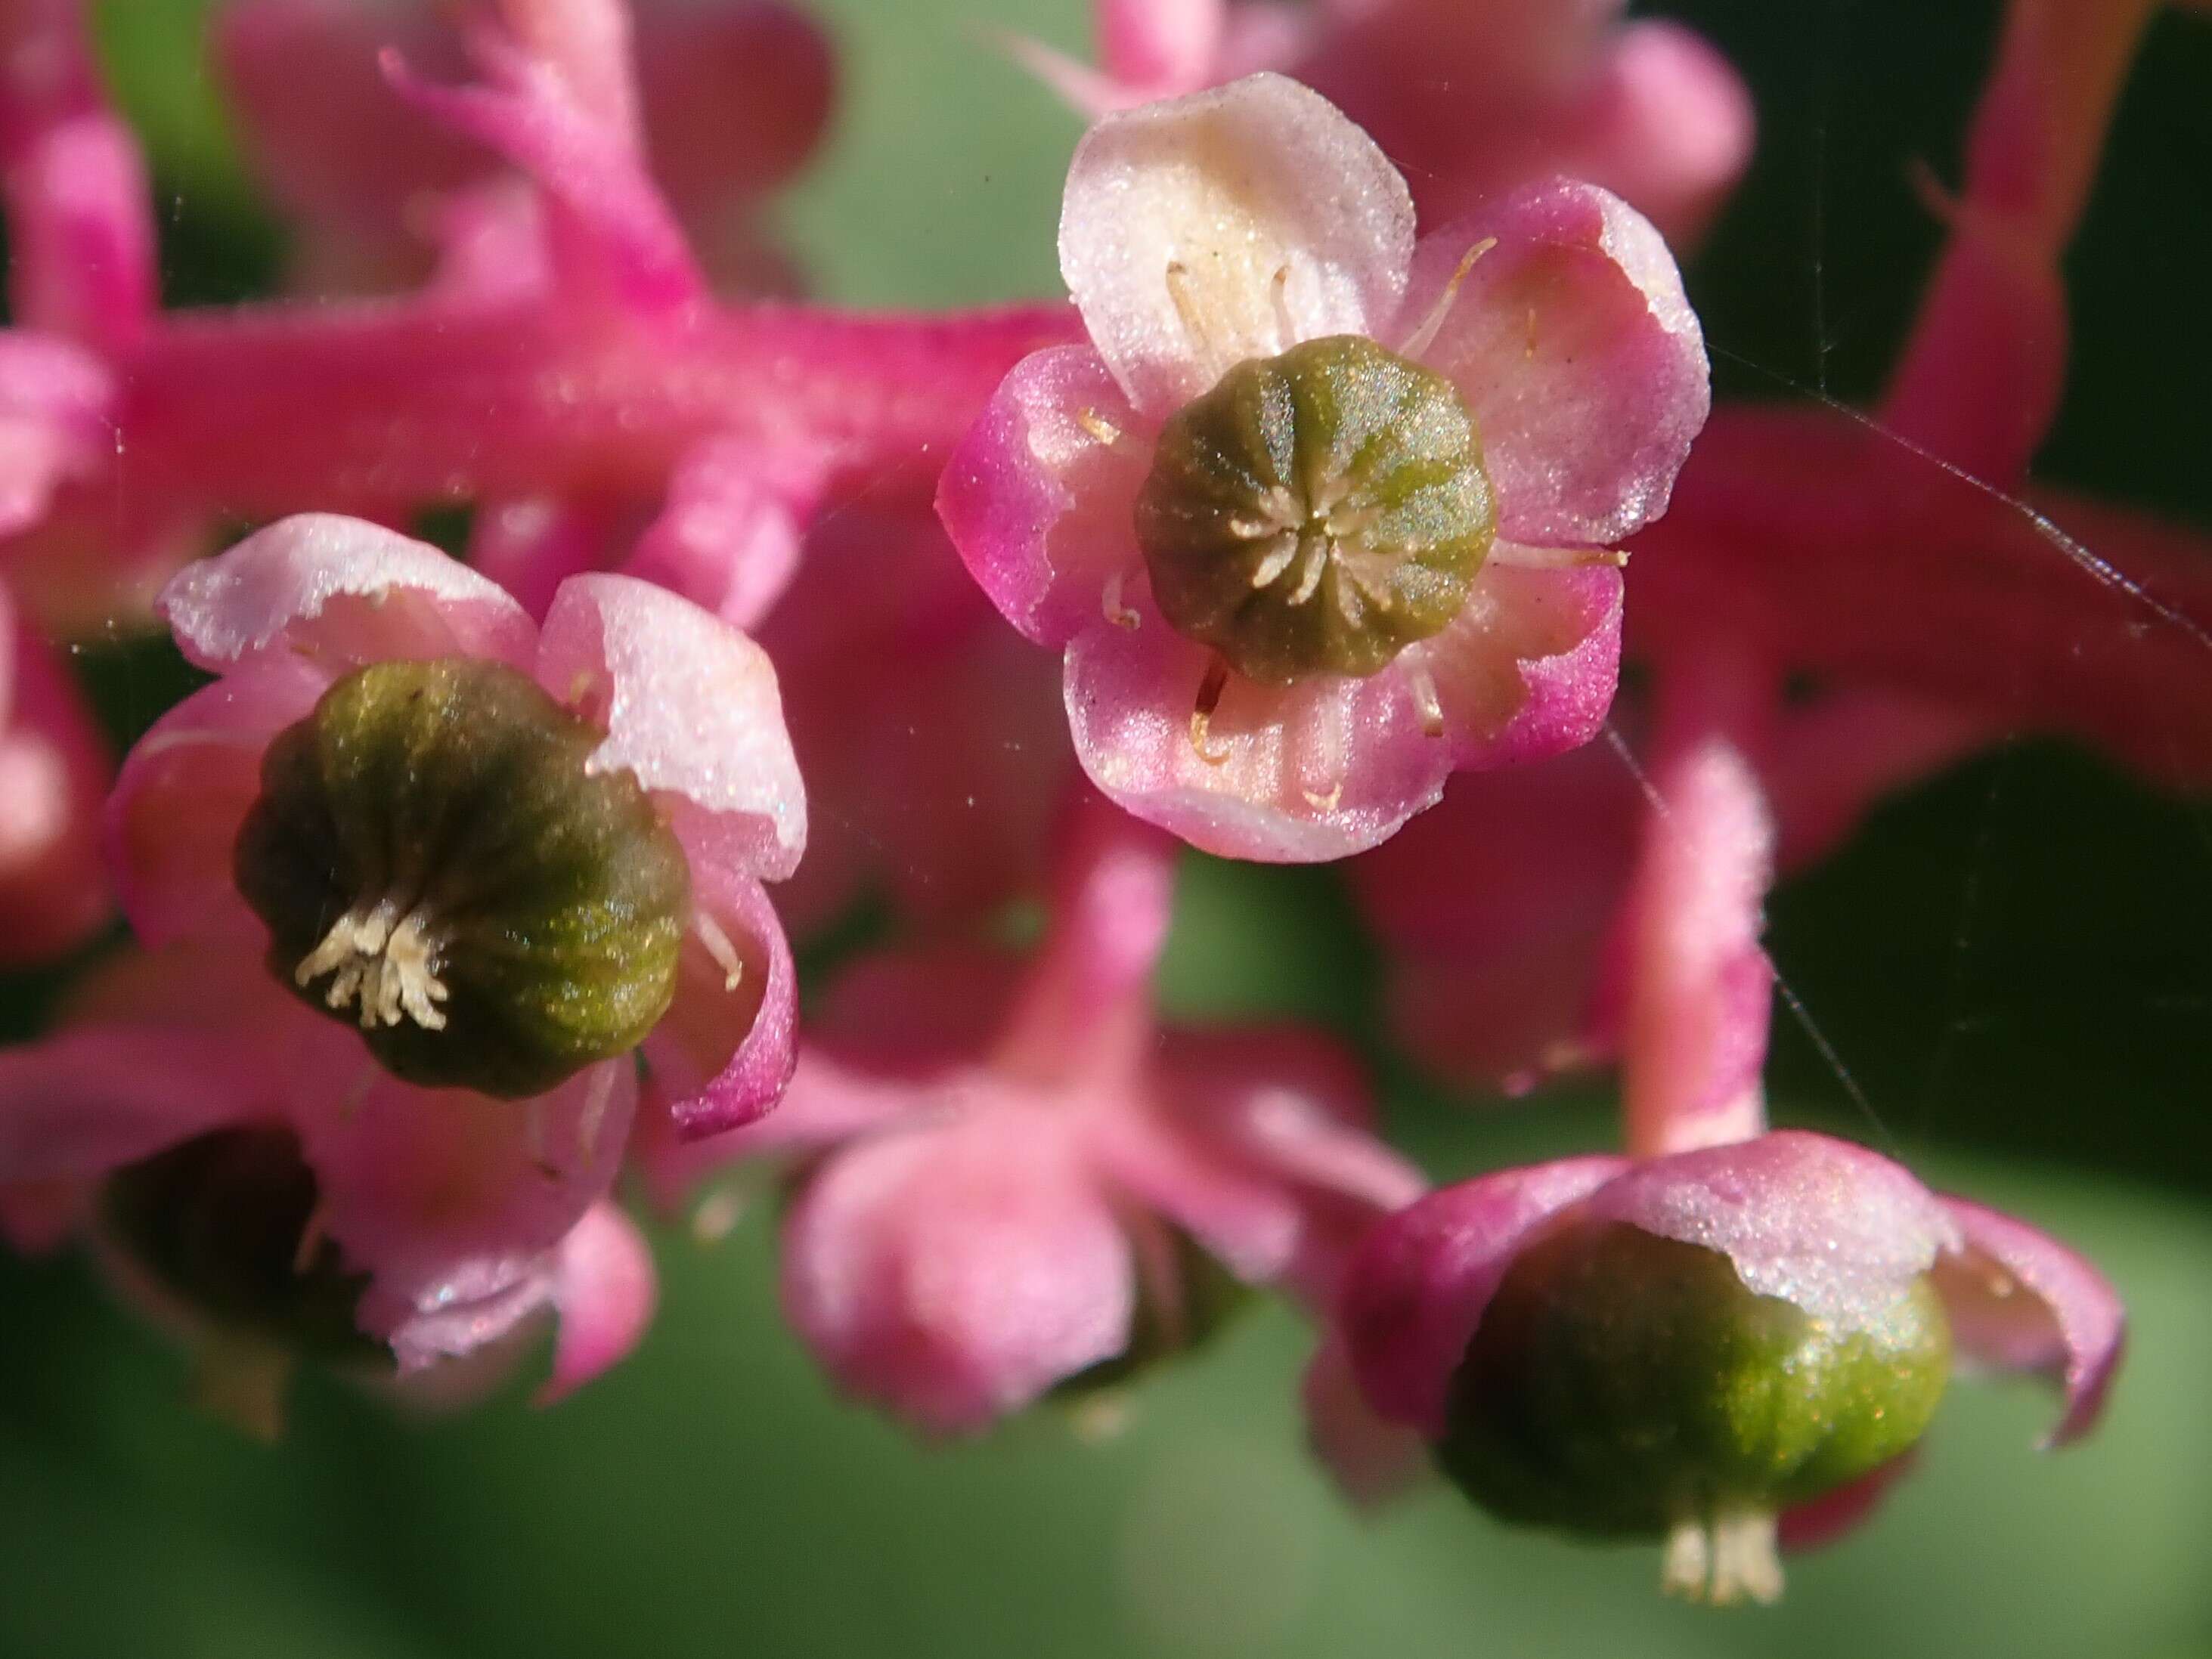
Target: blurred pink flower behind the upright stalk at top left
{"type": "Point", "coordinates": [733, 98]}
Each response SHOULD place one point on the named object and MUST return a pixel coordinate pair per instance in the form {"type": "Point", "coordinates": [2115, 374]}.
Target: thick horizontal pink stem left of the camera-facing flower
{"type": "Point", "coordinates": [386, 406]}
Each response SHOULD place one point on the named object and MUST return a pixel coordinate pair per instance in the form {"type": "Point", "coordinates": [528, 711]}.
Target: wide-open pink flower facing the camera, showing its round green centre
{"type": "Point", "coordinates": [1322, 517]}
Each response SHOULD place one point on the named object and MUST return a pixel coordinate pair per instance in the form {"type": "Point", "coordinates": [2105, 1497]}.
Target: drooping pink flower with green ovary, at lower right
{"type": "Point", "coordinates": [1707, 1346]}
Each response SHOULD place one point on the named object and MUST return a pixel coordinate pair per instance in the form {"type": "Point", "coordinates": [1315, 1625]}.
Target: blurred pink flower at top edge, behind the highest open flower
{"type": "Point", "coordinates": [1472, 98]}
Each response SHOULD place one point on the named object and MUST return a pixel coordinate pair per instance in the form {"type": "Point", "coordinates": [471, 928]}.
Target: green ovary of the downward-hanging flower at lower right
{"type": "Point", "coordinates": [1623, 1386]}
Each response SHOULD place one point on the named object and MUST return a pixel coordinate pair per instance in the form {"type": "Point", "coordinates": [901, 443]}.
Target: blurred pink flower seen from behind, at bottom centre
{"type": "Point", "coordinates": [1016, 1182]}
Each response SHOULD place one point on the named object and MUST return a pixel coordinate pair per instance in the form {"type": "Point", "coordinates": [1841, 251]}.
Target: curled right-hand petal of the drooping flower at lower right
{"type": "Point", "coordinates": [2023, 1302]}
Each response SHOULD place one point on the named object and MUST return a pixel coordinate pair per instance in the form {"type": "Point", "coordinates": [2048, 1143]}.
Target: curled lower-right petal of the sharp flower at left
{"type": "Point", "coordinates": [724, 1052]}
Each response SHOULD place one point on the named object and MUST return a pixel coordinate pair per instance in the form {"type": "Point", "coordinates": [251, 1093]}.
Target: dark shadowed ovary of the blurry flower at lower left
{"type": "Point", "coordinates": [225, 1227]}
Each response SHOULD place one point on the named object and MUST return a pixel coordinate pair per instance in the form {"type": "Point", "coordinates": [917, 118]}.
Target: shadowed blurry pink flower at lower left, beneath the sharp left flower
{"type": "Point", "coordinates": [260, 1187]}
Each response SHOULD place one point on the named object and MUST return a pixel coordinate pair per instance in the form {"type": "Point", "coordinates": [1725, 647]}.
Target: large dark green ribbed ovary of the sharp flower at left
{"type": "Point", "coordinates": [437, 866]}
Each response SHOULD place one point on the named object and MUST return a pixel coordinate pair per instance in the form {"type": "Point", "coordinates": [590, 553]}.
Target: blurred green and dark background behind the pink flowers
{"type": "Point", "coordinates": [2014, 963]}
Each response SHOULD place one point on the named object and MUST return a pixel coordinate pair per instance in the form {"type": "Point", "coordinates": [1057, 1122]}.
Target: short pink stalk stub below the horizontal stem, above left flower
{"type": "Point", "coordinates": [729, 532]}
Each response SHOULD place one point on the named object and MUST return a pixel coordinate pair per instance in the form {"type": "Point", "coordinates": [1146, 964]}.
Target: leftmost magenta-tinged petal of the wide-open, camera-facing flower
{"type": "Point", "coordinates": [1039, 505]}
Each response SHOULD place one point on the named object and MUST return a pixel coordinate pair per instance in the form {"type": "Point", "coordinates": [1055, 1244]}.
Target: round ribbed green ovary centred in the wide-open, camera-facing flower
{"type": "Point", "coordinates": [1317, 512]}
